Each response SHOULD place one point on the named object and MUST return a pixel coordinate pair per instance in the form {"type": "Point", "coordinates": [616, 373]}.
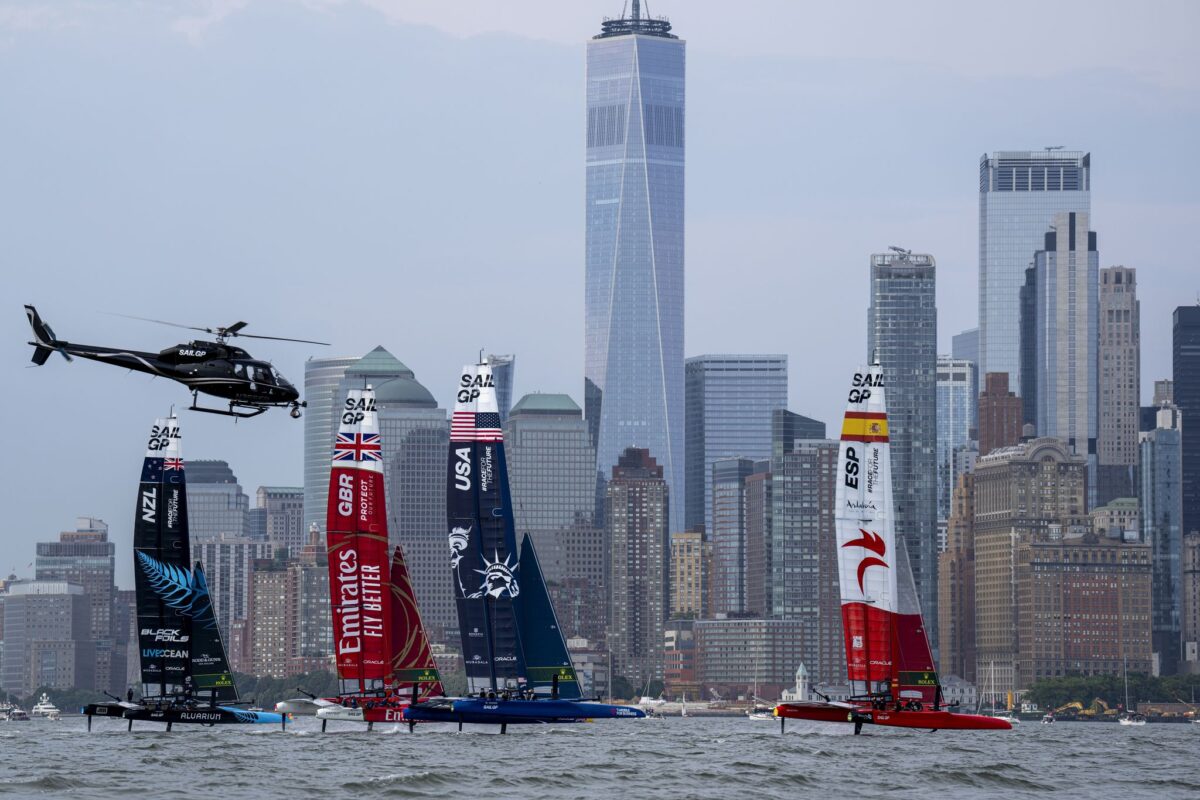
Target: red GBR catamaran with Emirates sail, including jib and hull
{"type": "Point", "coordinates": [382, 652]}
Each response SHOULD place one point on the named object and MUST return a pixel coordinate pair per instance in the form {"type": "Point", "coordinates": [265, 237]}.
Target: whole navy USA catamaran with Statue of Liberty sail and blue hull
{"type": "Point", "coordinates": [519, 670]}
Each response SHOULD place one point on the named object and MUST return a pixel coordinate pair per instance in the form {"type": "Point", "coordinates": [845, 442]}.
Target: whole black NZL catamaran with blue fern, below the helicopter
{"type": "Point", "coordinates": [185, 671]}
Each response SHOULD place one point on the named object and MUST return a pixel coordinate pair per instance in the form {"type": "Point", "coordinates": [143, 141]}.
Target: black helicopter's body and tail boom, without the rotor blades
{"type": "Point", "coordinates": [209, 368]}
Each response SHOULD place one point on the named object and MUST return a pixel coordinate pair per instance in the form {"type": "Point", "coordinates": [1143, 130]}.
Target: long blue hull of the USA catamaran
{"type": "Point", "coordinates": [482, 712]}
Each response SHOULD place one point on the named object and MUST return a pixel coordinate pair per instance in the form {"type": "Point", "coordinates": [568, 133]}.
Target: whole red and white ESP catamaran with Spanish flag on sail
{"type": "Point", "coordinates": [889, 660]}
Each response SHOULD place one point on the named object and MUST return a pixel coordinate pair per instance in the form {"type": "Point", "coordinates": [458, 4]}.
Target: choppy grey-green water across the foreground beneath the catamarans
{"type": "Point", "coordinates": [643, 759]}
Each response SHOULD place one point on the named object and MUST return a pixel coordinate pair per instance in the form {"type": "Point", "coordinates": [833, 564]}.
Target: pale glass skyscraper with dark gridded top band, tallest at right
{"type": "Point", "coordinates": [1019, 195]}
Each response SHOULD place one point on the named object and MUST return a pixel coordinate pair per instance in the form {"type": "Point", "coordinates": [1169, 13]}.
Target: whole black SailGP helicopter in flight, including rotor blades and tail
{"type": "Point", "coordinates": [215, 369]}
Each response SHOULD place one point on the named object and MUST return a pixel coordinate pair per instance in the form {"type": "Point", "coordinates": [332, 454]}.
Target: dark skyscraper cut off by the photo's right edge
{"type": "Point", "coordinates": [1186, 390]}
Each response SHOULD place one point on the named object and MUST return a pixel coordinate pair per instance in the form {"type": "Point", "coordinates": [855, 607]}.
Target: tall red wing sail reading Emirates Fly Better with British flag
{"type": "Point", "coordinates": [357, 538]}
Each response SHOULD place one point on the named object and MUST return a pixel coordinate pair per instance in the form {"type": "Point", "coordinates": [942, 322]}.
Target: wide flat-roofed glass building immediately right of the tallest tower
{"type": "Point", "coordinates": [729, 401]}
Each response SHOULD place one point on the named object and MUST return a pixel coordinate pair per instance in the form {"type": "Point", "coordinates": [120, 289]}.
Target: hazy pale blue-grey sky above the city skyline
{"type": "Point", "coordinates": [411, 175]}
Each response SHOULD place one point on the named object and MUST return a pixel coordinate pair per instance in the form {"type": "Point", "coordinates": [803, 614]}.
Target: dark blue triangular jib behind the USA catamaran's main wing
{"type": "Point", "coordinates": [545, 649]}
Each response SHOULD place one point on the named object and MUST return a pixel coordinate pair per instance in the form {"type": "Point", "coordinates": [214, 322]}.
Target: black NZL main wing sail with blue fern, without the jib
{"type": "Point", "coordinates": [161, 561]}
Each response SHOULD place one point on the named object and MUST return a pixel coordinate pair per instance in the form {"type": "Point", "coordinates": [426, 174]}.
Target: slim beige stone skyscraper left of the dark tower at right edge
{"type": "Point", "coordinates": [1119, 383]}
